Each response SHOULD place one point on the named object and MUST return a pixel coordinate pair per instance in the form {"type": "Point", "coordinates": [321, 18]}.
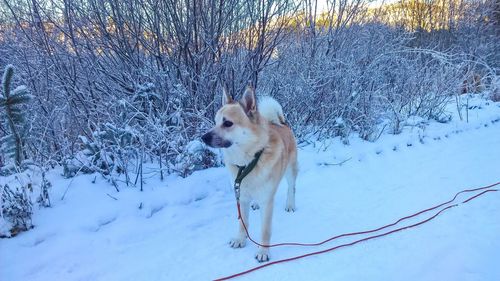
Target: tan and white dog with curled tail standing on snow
{"type": "Point", "coordinates": [242, 130]}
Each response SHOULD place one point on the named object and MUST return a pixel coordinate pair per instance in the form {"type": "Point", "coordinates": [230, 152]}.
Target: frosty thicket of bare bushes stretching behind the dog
{"type": "Point", "coordinates": [351, 69]}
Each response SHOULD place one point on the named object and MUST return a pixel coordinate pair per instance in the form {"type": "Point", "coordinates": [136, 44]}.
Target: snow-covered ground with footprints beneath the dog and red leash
{"type": "Point", "coordinates": [178, 229]}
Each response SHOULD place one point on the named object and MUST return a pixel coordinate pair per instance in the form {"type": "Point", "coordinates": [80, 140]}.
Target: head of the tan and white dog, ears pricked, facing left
{"type": "Point", "coordinates": [235, 122]}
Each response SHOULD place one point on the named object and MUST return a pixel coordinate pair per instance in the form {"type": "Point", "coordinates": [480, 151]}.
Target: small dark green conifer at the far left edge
{"type": "Point", "coordinates": [12, 104]}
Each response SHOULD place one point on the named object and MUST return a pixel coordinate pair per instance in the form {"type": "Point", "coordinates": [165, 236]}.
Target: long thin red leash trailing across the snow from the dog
{"type": "Point", "coordinates": [485, 190]}
